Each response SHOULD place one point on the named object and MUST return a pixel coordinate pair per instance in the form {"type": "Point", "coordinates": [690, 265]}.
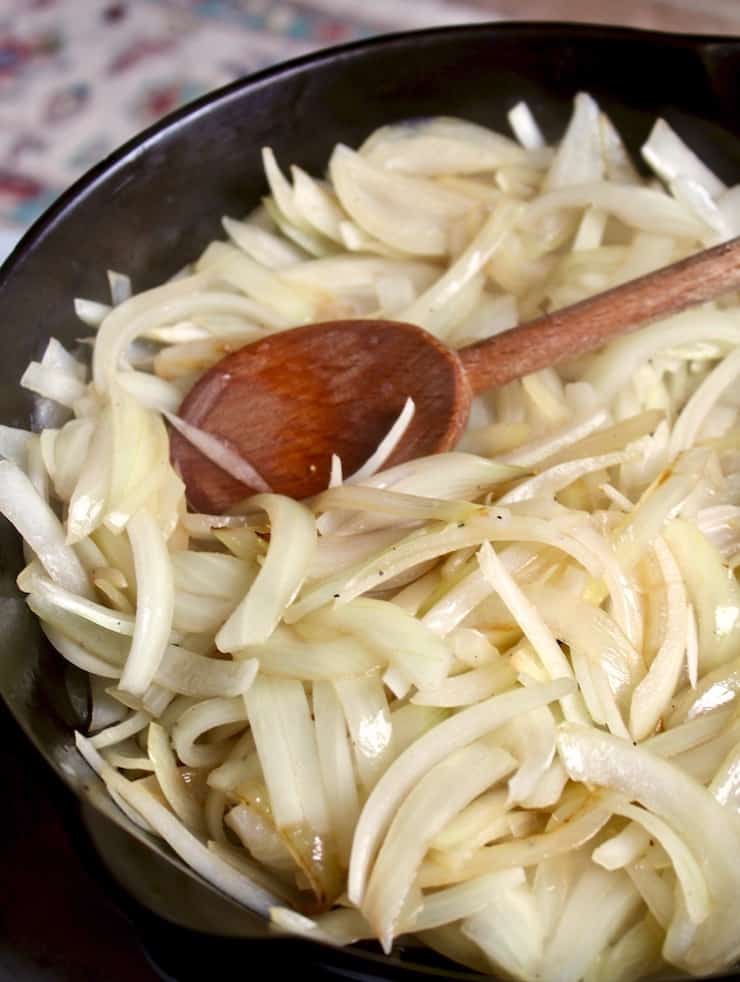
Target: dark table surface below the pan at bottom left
{"type": "Point", "coordinates": [56, 922]}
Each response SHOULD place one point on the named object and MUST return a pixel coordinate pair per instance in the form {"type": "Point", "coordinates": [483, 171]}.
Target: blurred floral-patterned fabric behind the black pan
{"type": "Point", "coordinates": [78, 77]}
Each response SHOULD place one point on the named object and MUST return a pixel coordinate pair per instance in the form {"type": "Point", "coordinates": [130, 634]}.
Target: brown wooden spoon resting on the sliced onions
{"type": "Point", "coordinates": [286, 403]}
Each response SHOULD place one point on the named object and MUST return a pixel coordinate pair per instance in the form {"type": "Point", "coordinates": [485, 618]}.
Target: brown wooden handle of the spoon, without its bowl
{"type": "Point", "coordinates": [591, 323]}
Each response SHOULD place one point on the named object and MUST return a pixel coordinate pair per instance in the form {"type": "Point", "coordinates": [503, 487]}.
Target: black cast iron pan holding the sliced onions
{"type": "Point", "coordinates": [154, 205]}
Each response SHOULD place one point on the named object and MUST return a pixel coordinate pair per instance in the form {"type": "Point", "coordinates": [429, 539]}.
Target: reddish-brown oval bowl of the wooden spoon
{"type": "Point", "coordinates": [288, 402]}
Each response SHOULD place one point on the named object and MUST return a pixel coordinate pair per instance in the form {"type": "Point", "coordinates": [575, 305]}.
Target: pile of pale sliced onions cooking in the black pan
{"type": "Point", "coordinates": [486, 699]}
